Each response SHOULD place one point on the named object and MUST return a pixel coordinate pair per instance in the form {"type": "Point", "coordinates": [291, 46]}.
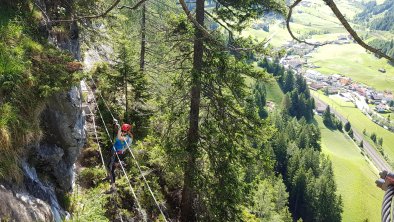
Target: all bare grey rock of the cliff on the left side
{"type": "Point", "coordinates": [48, 165]}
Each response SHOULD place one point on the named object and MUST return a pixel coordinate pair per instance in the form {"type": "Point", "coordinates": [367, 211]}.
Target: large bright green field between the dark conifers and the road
{"type": "Point", "coordinates": [354, 175]}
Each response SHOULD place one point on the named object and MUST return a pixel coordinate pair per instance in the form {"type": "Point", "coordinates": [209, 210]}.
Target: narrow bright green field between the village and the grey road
{"type": "Point", "coordinates": [360, 122]}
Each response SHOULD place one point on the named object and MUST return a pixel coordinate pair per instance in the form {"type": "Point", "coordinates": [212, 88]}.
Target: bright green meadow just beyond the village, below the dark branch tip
{"type": "Point", "coordinates": [362, 68]}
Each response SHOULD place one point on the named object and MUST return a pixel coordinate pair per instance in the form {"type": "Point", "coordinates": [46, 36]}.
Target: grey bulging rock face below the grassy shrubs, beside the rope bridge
{"type": "Point", "coordinates": [63, 122]}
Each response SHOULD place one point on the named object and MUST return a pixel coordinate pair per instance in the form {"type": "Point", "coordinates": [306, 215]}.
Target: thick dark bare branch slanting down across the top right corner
{"type": "Point", "coordinates": [353, 33]}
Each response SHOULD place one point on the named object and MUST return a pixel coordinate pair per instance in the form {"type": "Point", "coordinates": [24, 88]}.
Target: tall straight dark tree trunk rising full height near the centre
{"type": "Point", "coordinates": [188, 193]}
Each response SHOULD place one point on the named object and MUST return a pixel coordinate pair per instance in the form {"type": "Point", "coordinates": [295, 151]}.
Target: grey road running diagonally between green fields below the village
{"type": "Point", "coordinates": [376, 158]}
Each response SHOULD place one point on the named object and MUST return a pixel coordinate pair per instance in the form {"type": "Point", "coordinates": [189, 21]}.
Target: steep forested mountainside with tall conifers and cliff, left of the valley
{"type": "Point", "coordinates": [206, 146]}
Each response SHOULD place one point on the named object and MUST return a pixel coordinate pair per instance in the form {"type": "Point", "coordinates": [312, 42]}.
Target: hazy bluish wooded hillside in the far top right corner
{"type": "Point", "coordinates": [379, 17]}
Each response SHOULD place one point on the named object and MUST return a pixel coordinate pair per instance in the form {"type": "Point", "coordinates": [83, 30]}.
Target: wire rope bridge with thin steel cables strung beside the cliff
{"type": "Point", "coordinates": [139, 208]}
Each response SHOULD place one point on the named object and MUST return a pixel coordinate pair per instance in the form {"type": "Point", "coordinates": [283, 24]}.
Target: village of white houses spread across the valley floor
{"type": "Point", "coordinates": [371, 102]}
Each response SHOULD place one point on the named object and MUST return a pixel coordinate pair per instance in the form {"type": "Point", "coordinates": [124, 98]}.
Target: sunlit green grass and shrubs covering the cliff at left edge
{"type": "Point", "coordinates": [29, 73]}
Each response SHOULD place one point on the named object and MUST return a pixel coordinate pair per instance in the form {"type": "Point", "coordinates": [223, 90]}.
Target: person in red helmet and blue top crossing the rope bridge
{"type": "Point", "coordinates": [123, 139]}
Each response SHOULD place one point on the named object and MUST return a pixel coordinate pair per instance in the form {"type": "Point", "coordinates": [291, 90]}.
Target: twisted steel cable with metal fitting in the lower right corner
{"type": "Point", "coordinates": [386, 183]}
